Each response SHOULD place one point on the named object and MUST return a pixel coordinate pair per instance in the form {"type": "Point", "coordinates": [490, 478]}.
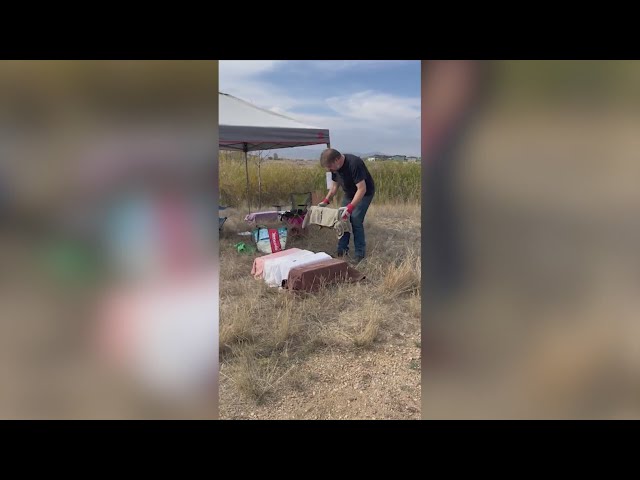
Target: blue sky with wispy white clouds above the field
{"type": "Point", "coordinates": [369, 106]}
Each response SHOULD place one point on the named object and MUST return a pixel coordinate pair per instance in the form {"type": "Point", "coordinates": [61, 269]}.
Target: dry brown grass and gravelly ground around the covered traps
{"type": "Point", "coordinates": [349, 351]}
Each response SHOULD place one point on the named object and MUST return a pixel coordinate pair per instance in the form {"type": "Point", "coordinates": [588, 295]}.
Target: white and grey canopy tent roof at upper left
{"type": "Point", "coordinates": [246, 127]}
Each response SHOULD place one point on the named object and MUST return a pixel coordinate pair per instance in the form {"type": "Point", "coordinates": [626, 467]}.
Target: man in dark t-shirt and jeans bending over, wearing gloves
{"type": "Point", "coordinates": [351, 174]}
